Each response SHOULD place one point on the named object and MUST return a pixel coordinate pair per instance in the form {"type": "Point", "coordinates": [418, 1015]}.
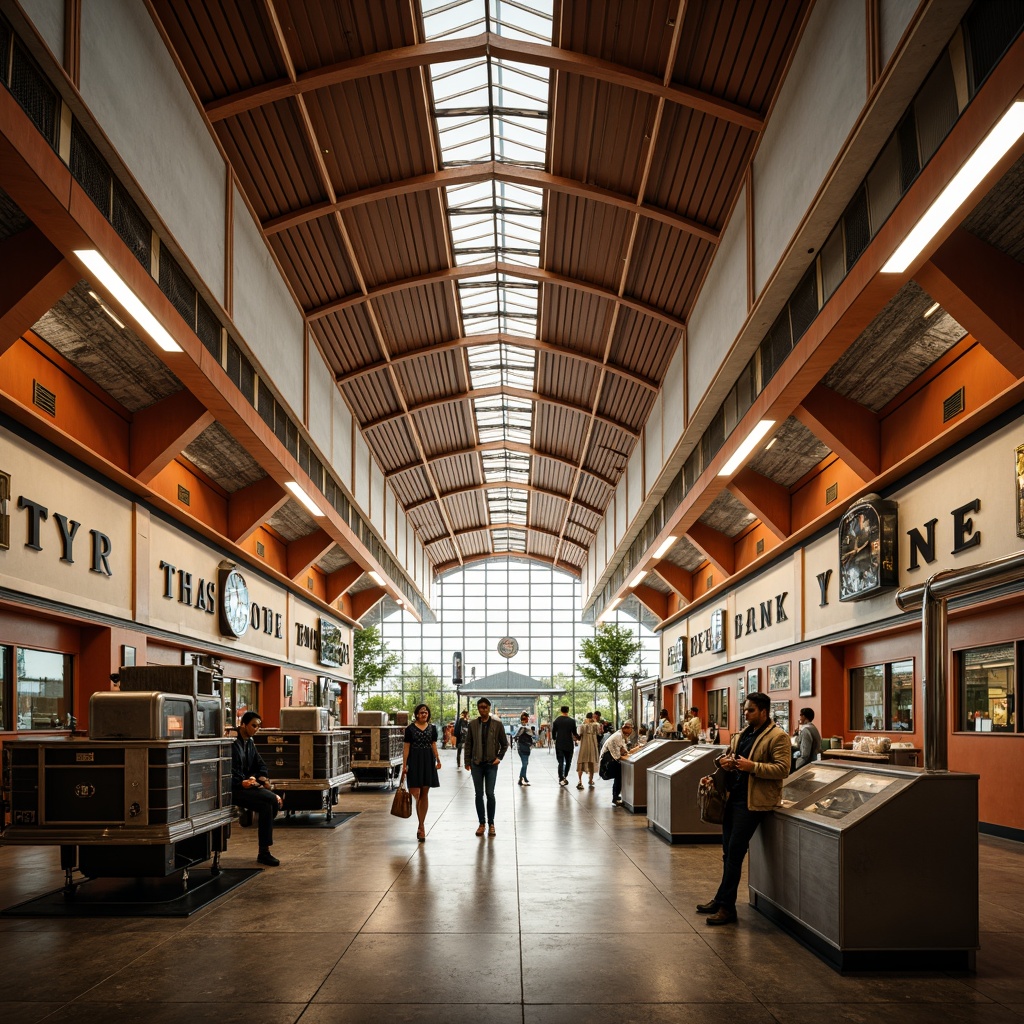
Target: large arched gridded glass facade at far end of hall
{"type": "Point", "coordinates": [481, 605]}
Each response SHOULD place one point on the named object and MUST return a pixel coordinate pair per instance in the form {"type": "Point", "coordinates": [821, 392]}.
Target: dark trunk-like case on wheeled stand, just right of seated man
{"type": "Point", "coordinates": [309, 767]}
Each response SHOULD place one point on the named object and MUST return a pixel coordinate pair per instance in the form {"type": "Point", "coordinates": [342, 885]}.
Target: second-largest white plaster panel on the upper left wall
{"type": "Point", "coordinates": [265, 313]}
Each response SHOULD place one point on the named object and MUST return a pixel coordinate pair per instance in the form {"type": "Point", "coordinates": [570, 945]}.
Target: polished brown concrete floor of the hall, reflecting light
{"type": "Point", "coordinates": [574, 913]}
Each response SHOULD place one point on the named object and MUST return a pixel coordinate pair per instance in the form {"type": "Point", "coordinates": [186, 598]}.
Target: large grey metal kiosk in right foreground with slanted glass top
{"type": "Point", "coordinates": [873, 867]}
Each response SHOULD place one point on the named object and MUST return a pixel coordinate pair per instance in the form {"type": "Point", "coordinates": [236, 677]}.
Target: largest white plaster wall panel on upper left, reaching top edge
{"type": "Point", "coordinates": [136, 93]}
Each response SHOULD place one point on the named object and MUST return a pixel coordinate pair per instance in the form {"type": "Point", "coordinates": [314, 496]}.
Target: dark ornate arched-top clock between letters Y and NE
{"type": "Point", "coordinates": [868, 549]}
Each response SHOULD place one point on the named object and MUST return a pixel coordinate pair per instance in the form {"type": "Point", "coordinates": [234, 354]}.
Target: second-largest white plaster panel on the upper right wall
{"type": "Point", "coordinates": [720, 310]}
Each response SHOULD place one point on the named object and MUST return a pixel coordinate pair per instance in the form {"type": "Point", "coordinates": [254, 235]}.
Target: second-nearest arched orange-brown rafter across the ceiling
{"type": "Point", "coordinates": [491, 172]}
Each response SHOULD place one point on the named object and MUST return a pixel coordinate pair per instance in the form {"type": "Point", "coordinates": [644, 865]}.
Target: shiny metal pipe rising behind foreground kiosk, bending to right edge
{"type": "Point", "coordinates": [932, 598]}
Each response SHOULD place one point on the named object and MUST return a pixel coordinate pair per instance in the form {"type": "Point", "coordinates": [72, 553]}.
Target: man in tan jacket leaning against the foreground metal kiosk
{"type": "Point", "coordinates": [758, 761]}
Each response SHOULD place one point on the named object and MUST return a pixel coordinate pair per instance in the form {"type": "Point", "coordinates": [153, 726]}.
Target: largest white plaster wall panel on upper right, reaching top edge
{"type": "Point", "coordinates": [820, 103]}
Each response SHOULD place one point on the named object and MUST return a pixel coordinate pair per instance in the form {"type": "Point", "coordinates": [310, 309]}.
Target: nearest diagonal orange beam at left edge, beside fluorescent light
{"type": "Point", "coordinates": [35, 276]}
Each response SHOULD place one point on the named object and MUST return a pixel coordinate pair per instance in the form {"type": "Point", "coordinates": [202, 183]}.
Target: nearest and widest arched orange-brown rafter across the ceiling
{"type": "Point", "coordinates": [488, 44]}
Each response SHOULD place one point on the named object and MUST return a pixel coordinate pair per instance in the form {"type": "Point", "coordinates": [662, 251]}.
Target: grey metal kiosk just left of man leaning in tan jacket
{"type": "Point", "coordinates": [672, 796]}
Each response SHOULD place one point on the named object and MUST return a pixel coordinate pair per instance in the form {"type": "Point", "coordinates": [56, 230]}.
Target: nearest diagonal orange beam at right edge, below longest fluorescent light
{"type": "Point", "coordinates": [982, 289]}
